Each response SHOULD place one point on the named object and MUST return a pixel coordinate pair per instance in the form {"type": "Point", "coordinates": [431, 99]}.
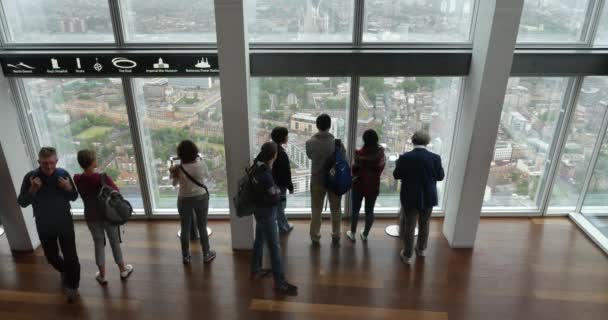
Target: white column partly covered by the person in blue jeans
{"type": "Point", "coordinates": [233, 53]}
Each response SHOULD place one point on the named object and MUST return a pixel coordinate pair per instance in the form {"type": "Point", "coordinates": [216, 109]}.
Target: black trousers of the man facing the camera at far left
{"type": "Point", "coordinates": [54, 238]}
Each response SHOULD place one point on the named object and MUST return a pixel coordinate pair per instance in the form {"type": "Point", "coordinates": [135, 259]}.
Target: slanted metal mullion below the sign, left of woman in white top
{"type": "Point", "coordinates": [136, 139]}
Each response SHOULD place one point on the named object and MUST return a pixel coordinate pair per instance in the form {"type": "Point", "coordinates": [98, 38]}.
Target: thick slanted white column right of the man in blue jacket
{"type": "Point", "coordinates": [485, 87]}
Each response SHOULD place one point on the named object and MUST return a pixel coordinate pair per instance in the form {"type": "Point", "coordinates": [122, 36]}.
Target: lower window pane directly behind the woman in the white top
{"type": "Point", "coordinates": [175, 109]}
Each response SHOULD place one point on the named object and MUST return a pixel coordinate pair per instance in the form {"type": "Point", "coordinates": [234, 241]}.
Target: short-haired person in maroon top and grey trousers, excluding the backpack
{"type": "Point", "coordinates": [89, 184]}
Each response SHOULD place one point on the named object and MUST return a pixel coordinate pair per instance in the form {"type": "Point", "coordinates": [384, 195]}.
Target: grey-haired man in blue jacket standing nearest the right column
{"type": "Point", "coordinates": [419, 170]}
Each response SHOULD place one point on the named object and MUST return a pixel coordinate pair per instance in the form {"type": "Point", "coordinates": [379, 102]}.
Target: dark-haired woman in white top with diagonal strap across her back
{"type": "Point", "coordinates": [193, 198]}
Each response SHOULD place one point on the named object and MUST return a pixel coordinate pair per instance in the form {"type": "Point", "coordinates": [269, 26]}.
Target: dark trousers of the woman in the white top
{"type": "Point", "coordinates": [188, 208]}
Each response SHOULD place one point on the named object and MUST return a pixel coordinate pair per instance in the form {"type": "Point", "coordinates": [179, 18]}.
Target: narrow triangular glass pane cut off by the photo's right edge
{"type": "Point", "coordinates": [595, 206]}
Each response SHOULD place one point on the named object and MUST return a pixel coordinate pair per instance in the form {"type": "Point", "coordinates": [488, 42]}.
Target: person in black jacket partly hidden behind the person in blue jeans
{"type": "Point", "coordinates": [281, 173]}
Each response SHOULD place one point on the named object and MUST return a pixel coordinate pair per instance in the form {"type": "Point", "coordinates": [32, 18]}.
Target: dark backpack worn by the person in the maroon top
{"type": "Point", "coordinates": [111, 205]}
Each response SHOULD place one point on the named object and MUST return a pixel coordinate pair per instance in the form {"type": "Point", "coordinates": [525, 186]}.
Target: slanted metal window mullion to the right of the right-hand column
{"type": "Point", "coordinates": [563, 125]}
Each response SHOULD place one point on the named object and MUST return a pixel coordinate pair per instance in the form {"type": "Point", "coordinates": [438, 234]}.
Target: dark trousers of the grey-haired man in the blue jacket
{"type": "Point", "coordinates": [409, 217]}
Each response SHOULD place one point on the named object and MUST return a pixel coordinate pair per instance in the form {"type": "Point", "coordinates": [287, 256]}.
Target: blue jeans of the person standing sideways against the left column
{"type": "Point", "coordinates": [266, 230]}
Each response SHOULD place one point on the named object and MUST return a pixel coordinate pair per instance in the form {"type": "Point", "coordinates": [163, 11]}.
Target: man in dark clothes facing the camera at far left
{"type": "Point", "coordinates": [49, 190]}
